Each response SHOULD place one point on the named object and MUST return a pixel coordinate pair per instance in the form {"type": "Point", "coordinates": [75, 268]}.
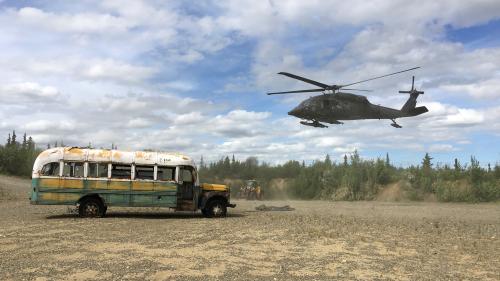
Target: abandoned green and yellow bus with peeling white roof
{"type": "Point", "coordinates": [94, 179]}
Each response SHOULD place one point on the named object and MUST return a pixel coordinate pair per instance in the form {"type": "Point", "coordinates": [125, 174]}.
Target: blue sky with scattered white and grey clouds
{"type": "Point", "coordinates": [191, 76]}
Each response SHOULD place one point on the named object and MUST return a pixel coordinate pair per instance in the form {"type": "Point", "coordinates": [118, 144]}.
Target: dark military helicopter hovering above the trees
{"type": "Point", "coordinates": [334, 105]}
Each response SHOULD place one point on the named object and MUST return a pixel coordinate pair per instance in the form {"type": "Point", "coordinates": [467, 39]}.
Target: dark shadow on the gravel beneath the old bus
{"type": "Point", "coordinates": [145, 215]}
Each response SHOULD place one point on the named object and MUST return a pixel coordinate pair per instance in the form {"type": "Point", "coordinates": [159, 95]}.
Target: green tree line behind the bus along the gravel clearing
{"type": "Point", "coordinates": [354, 178]}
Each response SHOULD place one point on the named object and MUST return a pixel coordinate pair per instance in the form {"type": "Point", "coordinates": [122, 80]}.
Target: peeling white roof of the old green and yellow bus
{"type": "Point", "coordinates": [113, 156]}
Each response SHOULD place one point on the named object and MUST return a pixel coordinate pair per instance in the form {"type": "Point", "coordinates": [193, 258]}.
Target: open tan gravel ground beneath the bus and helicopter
{"type": "Point", "coordinates": [317, 241]}
